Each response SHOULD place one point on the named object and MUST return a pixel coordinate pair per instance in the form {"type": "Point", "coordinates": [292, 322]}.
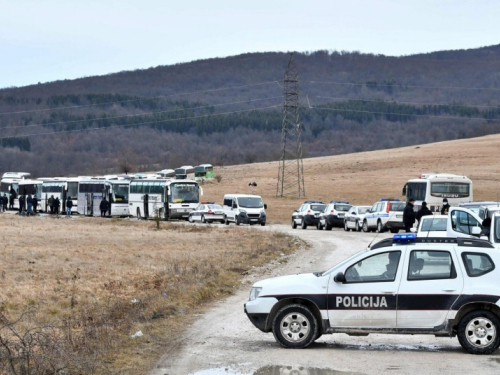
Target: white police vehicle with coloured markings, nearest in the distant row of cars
{"type": "Point", "coordinates": [385, 214]}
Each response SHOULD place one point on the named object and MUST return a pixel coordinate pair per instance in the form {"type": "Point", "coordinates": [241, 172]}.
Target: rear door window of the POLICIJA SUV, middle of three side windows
{"type": "Point", "coordinates": [431, 265]}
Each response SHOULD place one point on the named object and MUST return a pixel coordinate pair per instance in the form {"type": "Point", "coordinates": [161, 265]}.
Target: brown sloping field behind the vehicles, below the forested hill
{"type": "Point", "coordinates": [364, 178]}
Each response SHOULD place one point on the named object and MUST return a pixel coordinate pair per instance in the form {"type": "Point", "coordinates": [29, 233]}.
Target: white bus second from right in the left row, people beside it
{"type": "Point", "coordinates": [91, 192]}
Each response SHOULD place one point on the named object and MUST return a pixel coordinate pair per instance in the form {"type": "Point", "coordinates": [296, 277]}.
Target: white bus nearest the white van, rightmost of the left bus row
{"type": "Point", "coordinates": [170, 199]}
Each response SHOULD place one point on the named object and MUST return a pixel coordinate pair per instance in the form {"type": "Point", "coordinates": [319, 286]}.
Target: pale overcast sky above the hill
{"type": "Point", "coordinates": [47, 40]}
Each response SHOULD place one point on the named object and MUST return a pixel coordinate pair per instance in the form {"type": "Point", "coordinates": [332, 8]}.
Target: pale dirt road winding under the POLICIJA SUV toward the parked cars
{"type": "Point", "coordinates": [223, 341]}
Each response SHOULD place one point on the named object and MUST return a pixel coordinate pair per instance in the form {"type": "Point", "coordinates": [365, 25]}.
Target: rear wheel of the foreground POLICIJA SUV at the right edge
{"type": "Point", "coordinates": [479, 332]}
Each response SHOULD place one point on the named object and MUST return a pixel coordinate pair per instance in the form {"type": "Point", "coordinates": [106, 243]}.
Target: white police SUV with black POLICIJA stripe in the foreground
{"type": "Point", "coordinates": [407, 285]}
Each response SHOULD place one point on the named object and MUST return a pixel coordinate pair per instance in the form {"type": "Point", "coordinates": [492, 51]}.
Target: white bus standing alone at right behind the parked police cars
{"type": "Point", "coordinates": [433, 188]}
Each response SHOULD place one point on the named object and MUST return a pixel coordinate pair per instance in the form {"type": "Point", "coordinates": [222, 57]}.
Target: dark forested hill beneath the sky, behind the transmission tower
{"type": "Point", "coordinates": [229, 110]}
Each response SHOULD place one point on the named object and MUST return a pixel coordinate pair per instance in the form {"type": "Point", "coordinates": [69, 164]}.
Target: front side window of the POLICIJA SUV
{"type": "Point", "coordinates": [377, 268]}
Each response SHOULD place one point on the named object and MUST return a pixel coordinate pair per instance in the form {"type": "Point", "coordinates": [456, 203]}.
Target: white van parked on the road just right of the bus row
{"type": "Point", "coordinates": [244, 208]}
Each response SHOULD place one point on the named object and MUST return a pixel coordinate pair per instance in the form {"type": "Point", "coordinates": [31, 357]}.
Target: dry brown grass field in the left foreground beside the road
{"type": "Point", "coordinates": [73, 291]}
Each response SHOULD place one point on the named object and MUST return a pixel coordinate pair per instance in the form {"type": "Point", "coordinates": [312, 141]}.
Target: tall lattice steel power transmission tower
{"type": "Point", "coordinates": [291, 171]}
